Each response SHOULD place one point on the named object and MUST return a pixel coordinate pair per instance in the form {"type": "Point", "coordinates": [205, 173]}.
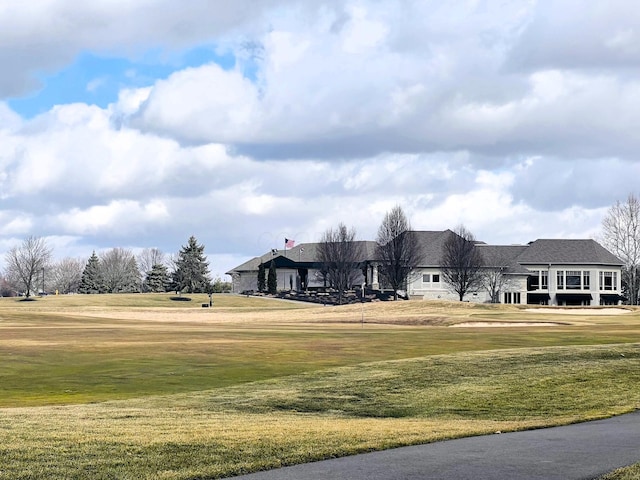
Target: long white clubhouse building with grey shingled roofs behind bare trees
{"type": "Point", "coordinates": [547, 272]}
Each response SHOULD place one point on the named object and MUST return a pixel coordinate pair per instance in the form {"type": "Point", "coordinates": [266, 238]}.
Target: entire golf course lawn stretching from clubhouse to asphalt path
{"type": "Point", "coordinates": [146, 386]}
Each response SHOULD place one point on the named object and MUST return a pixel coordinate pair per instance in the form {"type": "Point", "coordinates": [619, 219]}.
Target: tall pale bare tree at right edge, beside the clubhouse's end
{"type": "Point", "coordinates": [621, 235]}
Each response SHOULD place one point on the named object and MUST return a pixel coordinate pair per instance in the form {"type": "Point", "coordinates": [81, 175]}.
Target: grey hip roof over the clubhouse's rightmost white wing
{"type": "Point", "coordinates": [568, 252]}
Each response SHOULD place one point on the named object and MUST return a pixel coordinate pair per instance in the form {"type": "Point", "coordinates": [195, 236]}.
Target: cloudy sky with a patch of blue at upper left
{"type": "Point", "coordinates": [138, 124]}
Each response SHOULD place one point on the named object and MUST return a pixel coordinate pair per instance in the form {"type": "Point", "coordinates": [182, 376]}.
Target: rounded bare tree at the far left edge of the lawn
{"type": "Point", "coordinates": [25, 263]}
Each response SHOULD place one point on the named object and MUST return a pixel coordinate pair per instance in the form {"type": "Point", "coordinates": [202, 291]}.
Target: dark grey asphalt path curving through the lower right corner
{"type": "Point", "coordinates": [580, 451]}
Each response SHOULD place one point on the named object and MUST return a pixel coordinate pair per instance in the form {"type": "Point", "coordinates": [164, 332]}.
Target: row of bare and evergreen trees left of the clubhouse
{"type": "Point", "coordinates": [30, 269]}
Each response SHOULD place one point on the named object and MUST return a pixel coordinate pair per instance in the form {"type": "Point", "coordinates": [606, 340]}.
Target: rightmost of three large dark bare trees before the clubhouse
{"type": "Point", "coordinates": [461, 262]}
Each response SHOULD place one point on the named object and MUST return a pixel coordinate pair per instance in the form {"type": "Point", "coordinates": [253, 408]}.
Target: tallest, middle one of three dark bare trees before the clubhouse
{"type": "Point", "coordinates": [397, 249]}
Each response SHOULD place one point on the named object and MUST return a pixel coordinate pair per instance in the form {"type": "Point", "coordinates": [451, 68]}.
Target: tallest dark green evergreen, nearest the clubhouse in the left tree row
{"type": "Point", "coordinates": [192, 270]}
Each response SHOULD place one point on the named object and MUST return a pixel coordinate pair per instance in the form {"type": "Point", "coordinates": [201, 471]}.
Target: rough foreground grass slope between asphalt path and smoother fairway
{"type": "Point", "coordinates": [333, 412]}
